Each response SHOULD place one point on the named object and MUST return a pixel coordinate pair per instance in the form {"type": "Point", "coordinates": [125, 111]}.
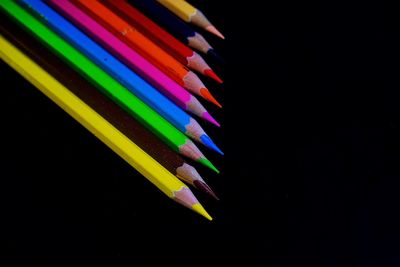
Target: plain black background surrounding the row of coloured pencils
{"type": "Point", "coordinates": [311, 132]}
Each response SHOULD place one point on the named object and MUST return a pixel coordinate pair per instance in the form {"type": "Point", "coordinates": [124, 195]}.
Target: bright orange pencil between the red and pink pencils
{"type": "Point", "coordinates": [145, 47]}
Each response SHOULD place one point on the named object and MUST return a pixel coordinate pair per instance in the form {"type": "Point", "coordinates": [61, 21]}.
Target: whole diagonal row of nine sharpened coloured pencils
{"type": "Point", "coordinates": [128, 72]}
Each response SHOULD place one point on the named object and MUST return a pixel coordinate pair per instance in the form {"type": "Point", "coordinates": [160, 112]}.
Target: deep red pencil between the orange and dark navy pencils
{"type": "Point", "coordinates": [151, 30]}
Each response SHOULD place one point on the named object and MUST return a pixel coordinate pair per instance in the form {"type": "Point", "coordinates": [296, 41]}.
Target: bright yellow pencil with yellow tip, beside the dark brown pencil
{"type": "Point", "coordinates": [101, 128]}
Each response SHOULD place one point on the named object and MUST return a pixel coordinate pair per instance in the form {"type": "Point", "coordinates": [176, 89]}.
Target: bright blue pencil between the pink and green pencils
{"type": "Point", "coordinates": [147, 93]}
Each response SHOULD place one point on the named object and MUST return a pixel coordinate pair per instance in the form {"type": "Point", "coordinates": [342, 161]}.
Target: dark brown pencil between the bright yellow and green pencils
{"type": "Point", "coordinates": [103, 106]}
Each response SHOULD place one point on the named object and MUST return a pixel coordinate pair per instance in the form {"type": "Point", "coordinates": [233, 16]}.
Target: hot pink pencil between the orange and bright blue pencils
{"type": "Point", "coordinates": [132, 59]}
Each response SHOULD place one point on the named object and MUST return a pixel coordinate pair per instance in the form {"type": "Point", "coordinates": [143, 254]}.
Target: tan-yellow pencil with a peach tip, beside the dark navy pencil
{"type": "Point", "coordinates": [190, 14]}
